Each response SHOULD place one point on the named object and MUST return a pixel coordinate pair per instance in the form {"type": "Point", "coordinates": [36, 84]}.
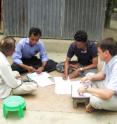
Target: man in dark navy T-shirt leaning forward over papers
{"type": "Point", "coordinates": [86, 53]}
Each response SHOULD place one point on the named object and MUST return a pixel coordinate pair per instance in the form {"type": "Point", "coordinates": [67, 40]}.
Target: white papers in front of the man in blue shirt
{"type": "Point", "coordinates": [42, 79]}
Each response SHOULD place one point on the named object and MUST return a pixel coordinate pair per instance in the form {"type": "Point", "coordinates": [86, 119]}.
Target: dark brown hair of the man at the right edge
{"type": "Point", "coordinates": [108, 44]}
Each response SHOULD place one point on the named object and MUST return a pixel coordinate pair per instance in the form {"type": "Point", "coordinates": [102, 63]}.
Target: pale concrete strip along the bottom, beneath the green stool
{"type": "Point", "coordinates": [42, 117]}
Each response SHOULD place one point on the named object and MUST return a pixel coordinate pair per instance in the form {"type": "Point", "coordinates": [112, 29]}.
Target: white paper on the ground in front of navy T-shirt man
{"type": "Point", "coordinates": [62, 86]}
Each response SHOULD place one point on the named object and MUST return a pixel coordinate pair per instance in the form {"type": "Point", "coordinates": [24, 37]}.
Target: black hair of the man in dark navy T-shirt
{"type": "Point", "coordinates": [81, 36]}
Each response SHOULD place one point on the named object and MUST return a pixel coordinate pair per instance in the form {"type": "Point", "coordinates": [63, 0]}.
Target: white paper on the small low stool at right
{"type": "Point", "coordinates": [76, 86]}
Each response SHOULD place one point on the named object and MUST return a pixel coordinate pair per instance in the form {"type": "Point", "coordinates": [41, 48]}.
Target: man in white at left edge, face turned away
{"type": "Point", "coordinates": [8, 83]}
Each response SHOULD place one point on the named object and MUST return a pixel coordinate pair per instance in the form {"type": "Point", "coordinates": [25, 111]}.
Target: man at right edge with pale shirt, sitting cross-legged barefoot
{"type": "Point", "coordinates": [104, 90]}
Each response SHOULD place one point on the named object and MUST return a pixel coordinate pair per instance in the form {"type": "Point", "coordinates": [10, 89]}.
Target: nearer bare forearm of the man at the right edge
{"type": "Point", "coordinates": [101, 93]}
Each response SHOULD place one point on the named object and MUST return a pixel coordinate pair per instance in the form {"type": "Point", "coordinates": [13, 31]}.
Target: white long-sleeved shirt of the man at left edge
{"type": "Point", "coordinates": [7, 79]}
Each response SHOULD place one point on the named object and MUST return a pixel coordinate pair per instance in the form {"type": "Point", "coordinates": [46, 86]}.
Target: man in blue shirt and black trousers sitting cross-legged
{"type": "Point", "coordinates": [25, 59]}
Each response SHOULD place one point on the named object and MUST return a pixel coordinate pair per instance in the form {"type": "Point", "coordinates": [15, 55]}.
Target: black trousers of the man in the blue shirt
{"type": "Point", "coordinates": [34, 62]}
